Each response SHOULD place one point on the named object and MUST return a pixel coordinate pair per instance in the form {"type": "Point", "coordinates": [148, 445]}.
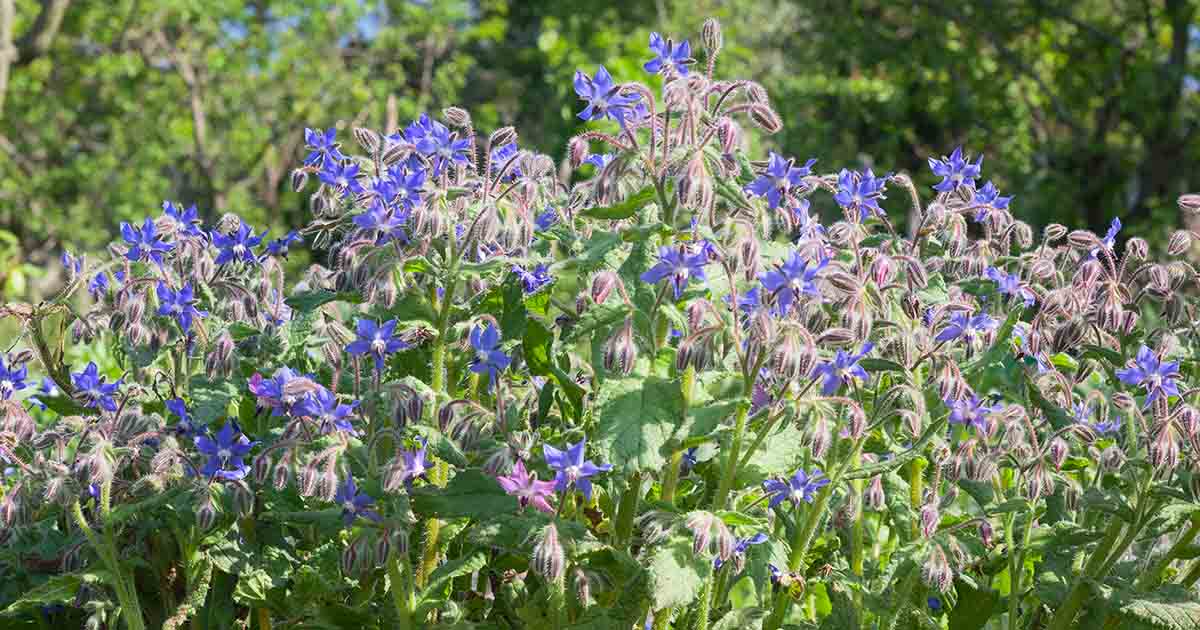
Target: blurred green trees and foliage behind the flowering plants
{"type": "Point", "coordinates": [1085, 110]}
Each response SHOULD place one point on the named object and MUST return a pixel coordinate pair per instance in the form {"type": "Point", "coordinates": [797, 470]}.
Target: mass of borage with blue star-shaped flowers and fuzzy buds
{"type": "Point", "coordinates": [667, 397]}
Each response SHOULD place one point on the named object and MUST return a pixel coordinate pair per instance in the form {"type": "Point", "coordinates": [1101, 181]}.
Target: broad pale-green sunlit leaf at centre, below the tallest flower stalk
{"type": "Point", "coordinates": [638, 417]}
